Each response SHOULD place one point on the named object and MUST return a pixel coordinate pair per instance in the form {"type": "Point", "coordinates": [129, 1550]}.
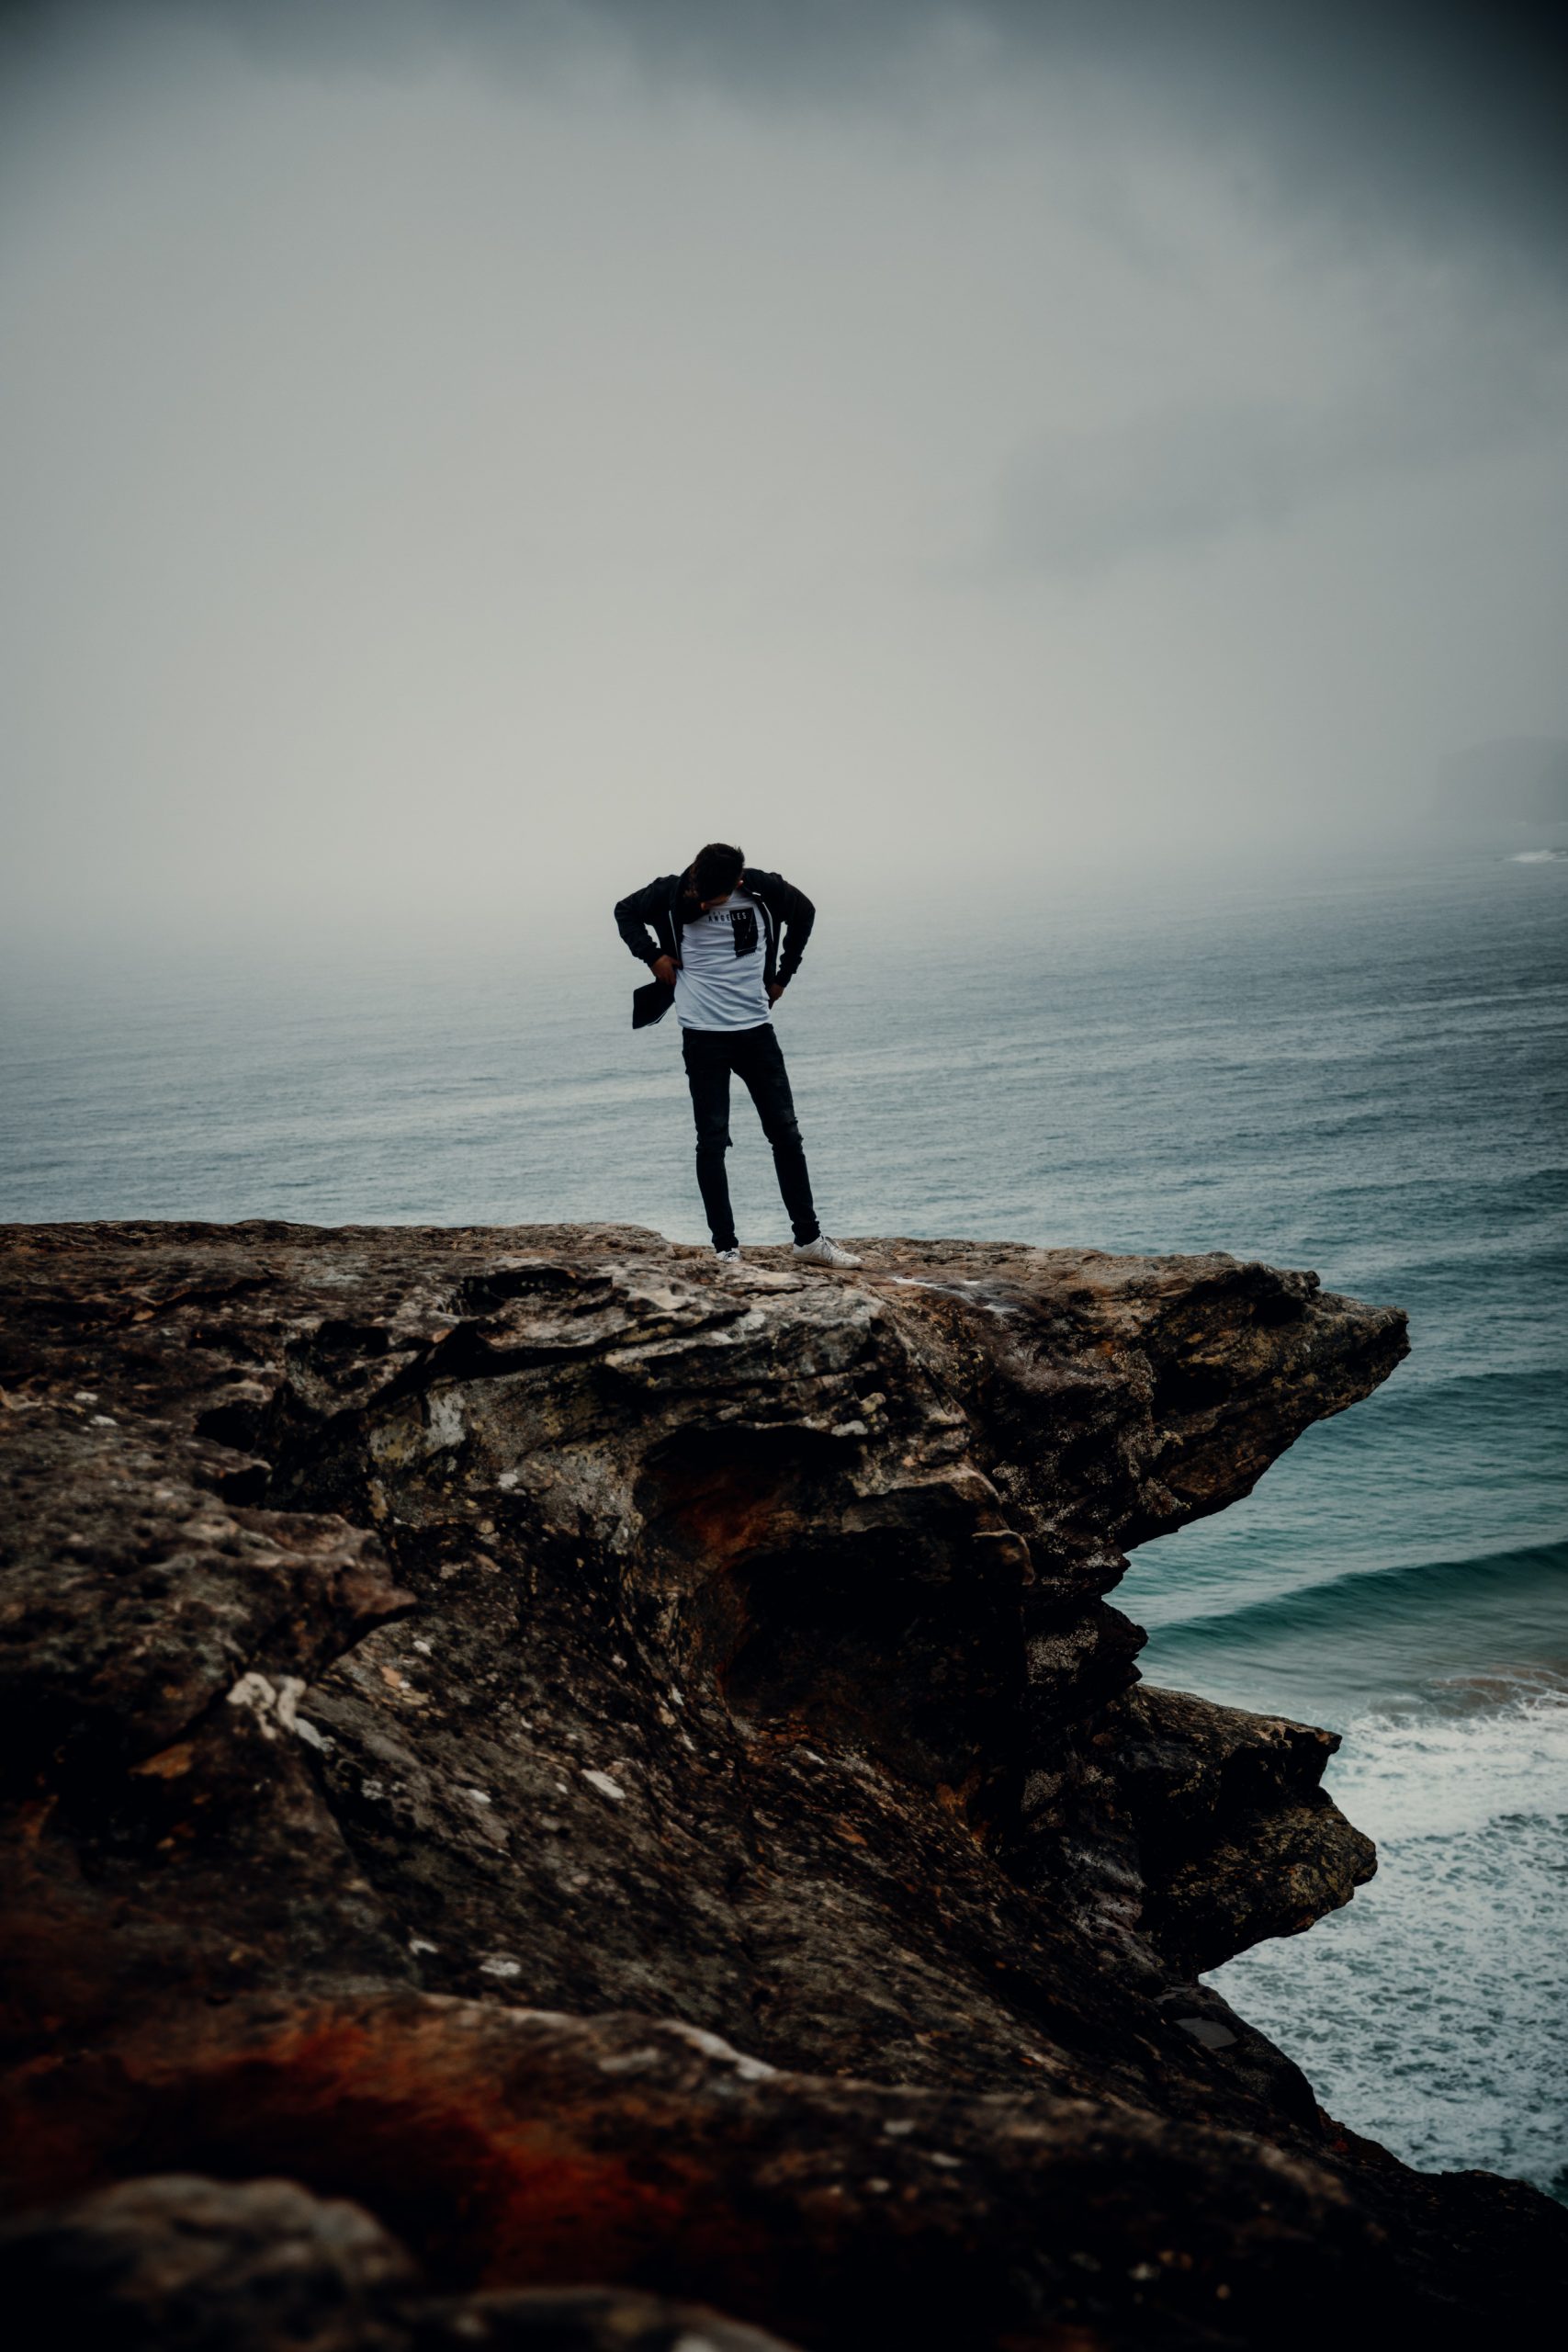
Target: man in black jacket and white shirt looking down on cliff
{"type": "Point", "coordinates": [723, 944]}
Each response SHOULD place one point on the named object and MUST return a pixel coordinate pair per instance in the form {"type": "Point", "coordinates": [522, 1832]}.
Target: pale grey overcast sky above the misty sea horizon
{"type": "Point", "coordinates": [457, 453]}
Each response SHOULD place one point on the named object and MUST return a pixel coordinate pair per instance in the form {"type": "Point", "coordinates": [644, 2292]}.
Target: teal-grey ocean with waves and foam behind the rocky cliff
{"type": "Point", "coordinates": [1353, 1069]}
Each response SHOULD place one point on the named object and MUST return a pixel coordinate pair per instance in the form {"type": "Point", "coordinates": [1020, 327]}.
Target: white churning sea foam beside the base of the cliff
{"type": "Point", "coordinates": [1430, 2014]}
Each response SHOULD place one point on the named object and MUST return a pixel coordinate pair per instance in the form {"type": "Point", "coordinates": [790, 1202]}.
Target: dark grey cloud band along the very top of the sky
{"type": "Point", "coordinates": [1445, 121]}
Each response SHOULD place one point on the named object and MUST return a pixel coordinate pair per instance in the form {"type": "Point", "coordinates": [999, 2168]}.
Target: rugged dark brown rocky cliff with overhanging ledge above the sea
{"type": "Point", "coordinates": [554, 1786]}
